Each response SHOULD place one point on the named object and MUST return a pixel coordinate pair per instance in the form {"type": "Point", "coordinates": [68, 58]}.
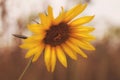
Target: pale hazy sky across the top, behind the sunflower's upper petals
{"type": "Point", "coordinates": [105, 11]}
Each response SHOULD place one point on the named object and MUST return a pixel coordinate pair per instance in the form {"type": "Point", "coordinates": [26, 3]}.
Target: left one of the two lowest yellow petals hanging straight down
{"type": "Point", "coordinates": [47, 56]}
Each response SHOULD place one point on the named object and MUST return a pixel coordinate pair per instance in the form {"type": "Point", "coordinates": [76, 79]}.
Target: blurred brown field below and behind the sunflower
{"type": "Point", "coordinates": [103, 64]}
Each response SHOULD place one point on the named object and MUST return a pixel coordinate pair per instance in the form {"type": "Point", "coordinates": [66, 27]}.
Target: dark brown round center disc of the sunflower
{"type": "Point", "coordinates": [57, 34]}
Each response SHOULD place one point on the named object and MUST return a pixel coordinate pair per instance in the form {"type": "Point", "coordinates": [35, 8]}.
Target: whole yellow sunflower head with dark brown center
{"type": "Point", "coordinates": [57, 37]}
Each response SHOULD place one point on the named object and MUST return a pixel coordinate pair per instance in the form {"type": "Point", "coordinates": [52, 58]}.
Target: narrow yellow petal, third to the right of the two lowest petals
{"type": "Point", "coordinates": [76, 49]}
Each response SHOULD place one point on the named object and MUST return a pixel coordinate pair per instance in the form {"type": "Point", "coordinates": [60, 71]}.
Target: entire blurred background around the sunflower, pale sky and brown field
{"type": "Point", "coordinates": [102, 64]}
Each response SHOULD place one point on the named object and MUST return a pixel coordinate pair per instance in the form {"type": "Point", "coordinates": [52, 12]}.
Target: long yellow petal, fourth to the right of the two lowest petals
{"type": "Point", "coordinates": [82, 44]}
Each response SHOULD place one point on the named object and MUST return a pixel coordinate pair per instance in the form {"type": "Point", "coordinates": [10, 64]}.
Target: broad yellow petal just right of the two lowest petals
{"type": "Point", "coordinates": [61, 56]}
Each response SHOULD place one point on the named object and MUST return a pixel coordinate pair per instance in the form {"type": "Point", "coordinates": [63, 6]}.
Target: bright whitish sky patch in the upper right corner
{"type": "Point", "coordinates": [107, 12]}
